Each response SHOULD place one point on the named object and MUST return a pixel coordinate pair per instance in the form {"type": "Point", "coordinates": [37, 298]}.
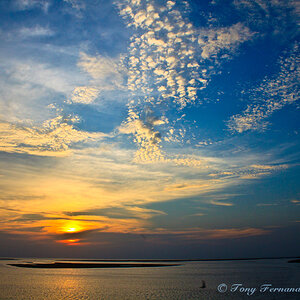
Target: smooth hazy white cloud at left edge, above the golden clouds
{"type": "Point", "coordinates": [27, 87]}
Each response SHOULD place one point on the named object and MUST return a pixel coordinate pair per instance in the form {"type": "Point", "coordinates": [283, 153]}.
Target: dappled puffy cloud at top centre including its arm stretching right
{"type": "Point", "coordinates": [168, 45]}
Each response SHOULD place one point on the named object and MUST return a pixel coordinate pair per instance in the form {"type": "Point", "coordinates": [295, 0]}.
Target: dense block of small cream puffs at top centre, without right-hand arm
{"type": "Point", "coordinates": [164, 48]}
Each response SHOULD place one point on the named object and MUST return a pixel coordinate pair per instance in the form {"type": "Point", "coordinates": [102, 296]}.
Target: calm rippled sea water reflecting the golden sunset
{"type": "Point", "coordinates": [255, 279]}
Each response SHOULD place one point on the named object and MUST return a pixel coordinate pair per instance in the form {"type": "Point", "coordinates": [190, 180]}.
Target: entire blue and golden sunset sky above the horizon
{"type": "Point", "coordinates": [149, 128]}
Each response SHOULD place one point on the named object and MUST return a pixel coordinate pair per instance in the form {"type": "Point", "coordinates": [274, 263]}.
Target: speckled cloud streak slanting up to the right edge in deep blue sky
{"type": "Point", "coordinates": [272, 95]}
